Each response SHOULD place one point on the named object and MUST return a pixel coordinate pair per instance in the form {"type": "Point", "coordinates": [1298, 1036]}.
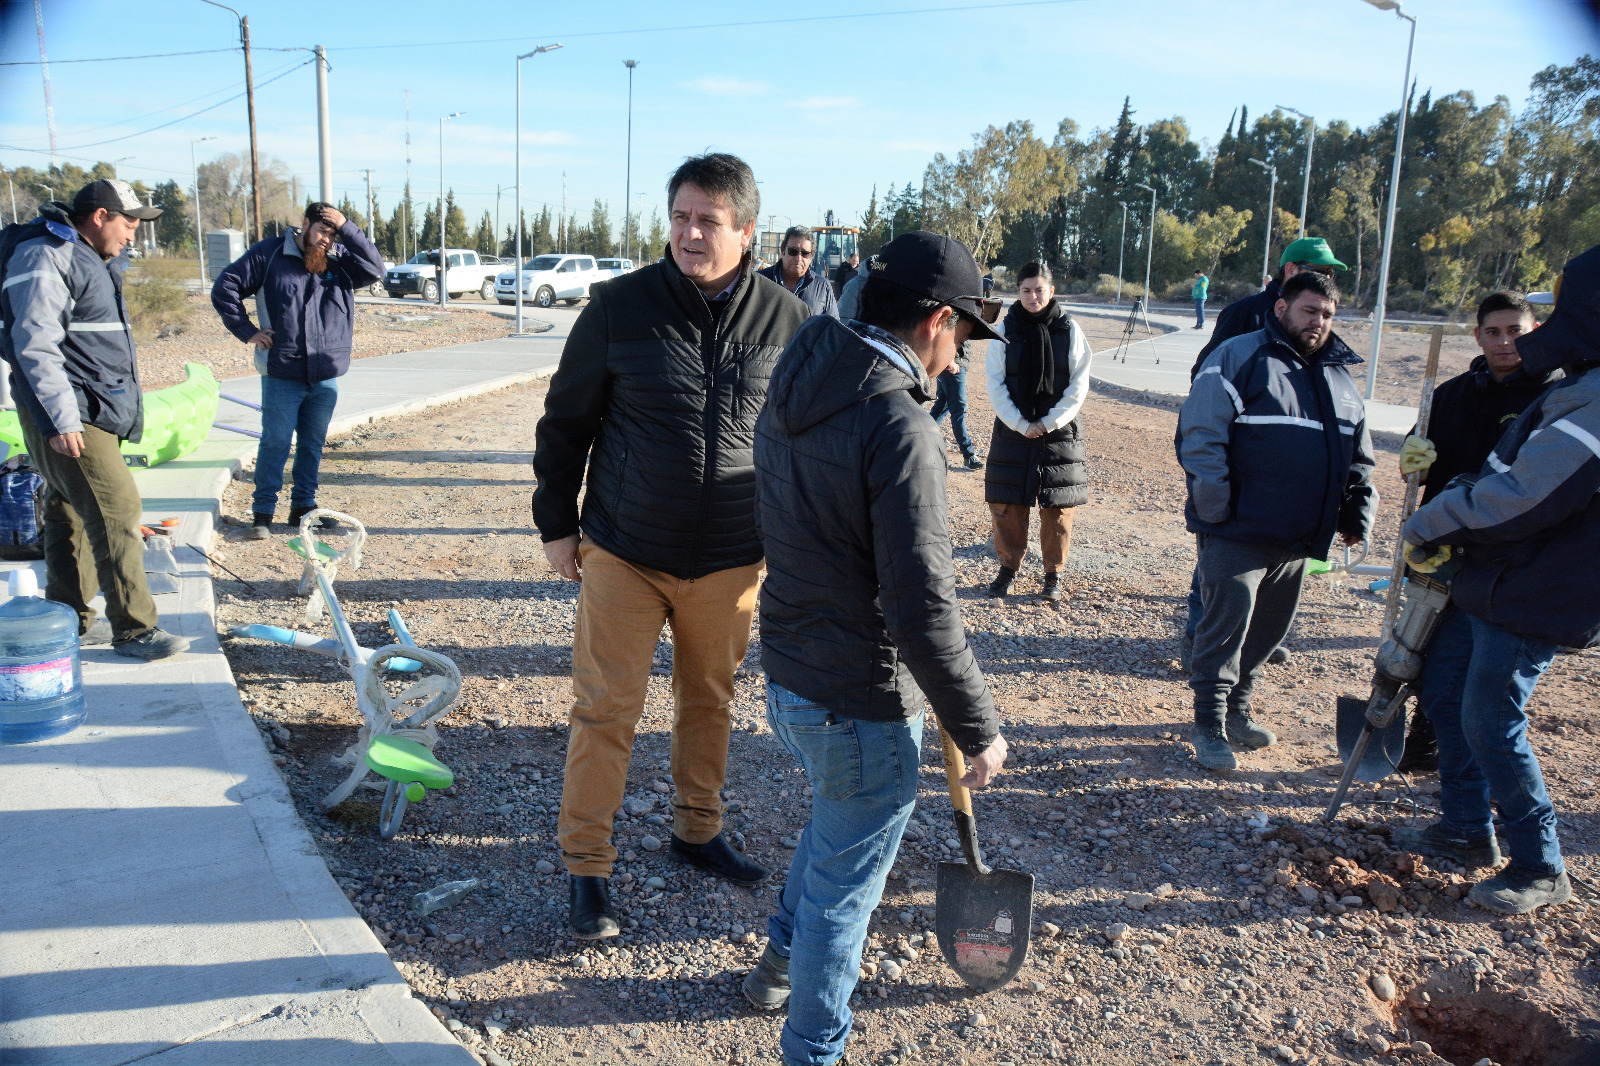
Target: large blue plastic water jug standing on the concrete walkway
{"type": "Point", "coordinates": [41, 673]}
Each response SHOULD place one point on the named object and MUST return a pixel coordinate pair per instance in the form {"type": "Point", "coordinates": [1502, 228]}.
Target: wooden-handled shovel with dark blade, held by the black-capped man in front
{"type": "Point", "coordinates": [982, 916]}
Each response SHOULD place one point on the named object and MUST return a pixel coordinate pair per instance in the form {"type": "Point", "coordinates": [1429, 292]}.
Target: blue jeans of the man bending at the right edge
{"type": "Point", "coordinates": [1474, 689]}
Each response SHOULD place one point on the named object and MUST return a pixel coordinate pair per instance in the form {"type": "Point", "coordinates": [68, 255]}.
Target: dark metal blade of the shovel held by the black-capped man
{"type": "Point", "coordinates": [983, 923]}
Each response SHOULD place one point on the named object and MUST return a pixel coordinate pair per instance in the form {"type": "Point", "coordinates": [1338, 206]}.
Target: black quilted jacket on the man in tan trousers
{"type": "Point", "coordinates": [660, 396]}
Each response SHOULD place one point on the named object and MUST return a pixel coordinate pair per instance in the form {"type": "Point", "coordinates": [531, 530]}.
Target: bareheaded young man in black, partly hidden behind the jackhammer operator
{"type": "Point", "coordinates": [1471, 414]}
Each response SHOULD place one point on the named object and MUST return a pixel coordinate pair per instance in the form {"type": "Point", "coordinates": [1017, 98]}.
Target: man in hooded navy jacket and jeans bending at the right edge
{"type": "Point", "coordinates": [1529, 529]}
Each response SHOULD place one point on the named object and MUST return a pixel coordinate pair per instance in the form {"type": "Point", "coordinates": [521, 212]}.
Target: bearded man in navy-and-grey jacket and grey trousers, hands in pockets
{"type": "Point", "coordinates": [1274, 446]}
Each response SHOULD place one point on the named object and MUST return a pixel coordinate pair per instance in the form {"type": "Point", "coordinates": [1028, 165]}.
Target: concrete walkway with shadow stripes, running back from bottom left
{"type": "Point", "coordinates": [164, 900]}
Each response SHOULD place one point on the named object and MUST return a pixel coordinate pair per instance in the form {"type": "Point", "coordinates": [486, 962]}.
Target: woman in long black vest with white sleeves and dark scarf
{"type": "Point", "coordinates": [1036, 457]}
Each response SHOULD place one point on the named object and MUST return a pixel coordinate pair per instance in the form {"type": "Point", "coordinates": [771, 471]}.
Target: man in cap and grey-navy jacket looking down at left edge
{"type": "Point", "coordinates": [76, 380]}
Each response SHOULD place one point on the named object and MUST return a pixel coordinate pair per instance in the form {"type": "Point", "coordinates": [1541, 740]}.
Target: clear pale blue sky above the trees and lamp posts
{"type": "Point", "coordinates": [822, 110]}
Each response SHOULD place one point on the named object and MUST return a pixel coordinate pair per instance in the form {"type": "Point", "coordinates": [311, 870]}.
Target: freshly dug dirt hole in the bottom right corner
{"type": "Point", "coordinates": [1465, 1028]}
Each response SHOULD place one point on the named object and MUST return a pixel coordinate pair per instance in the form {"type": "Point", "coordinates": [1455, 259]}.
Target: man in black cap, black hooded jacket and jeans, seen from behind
{"type": "Point", "coordinates": [858, 612]}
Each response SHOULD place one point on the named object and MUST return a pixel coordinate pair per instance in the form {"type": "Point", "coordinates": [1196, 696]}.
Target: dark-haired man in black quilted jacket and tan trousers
{"type": "Point", "coordinates": [658, 391]}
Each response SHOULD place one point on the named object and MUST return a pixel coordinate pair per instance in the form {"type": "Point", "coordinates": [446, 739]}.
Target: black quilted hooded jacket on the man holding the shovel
{"type": "Point", "coordinates": [858, 609]}
